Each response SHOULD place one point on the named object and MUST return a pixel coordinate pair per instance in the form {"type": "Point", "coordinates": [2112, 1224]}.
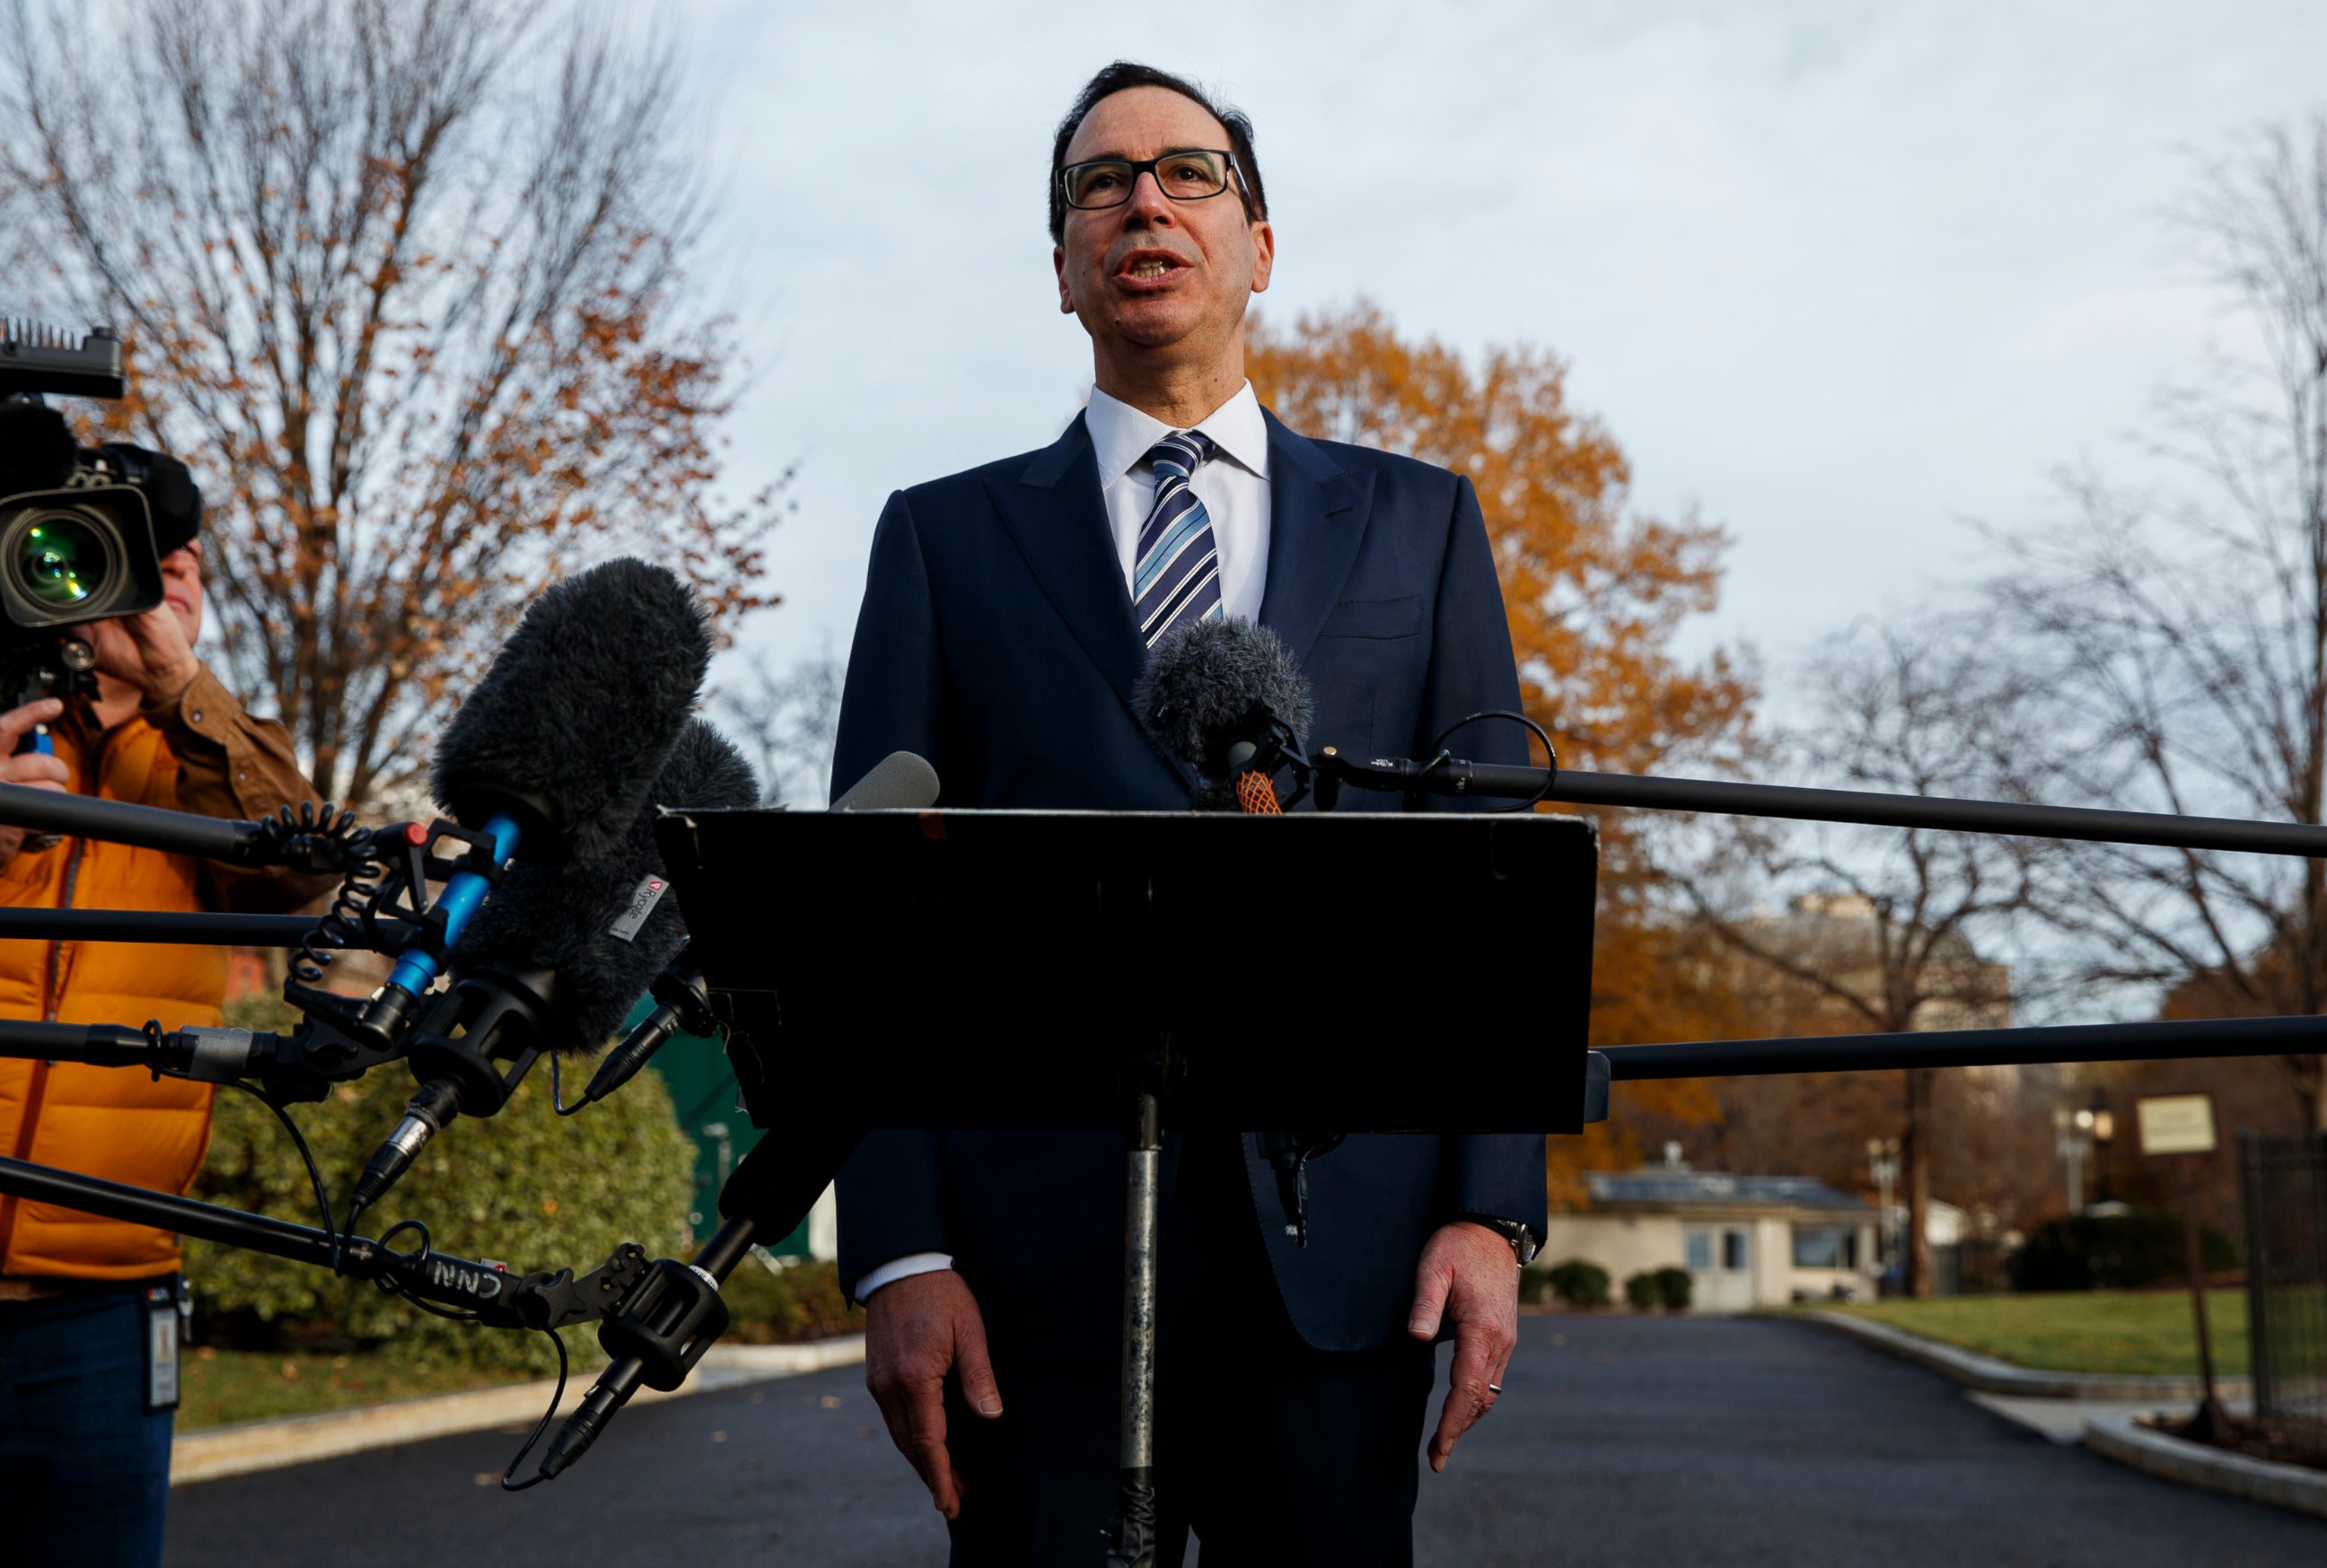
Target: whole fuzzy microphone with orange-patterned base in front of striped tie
{"type": "Point", "coordinates": [1230, 701]}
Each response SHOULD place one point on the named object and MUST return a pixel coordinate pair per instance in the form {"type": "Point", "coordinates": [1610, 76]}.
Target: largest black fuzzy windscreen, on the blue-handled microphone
{"type": "Point", "coordinates": [578, 713]}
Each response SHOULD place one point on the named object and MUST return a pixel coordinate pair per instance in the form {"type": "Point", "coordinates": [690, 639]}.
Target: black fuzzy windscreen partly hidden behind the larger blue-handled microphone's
{"type": "Point", "coordinates": [583, 918]}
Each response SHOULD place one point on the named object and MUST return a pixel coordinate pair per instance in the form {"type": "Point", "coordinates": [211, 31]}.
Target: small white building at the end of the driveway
{"type": "Point", "coordinates": [1746, 1241]}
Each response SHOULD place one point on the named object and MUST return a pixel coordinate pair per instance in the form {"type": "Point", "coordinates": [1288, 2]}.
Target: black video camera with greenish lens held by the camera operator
{"type": "Point", "coordinates": [83, 529]}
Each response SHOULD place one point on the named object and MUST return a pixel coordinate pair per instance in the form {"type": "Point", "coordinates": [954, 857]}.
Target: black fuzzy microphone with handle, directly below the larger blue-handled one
{"type": "Point", "coordinates": [553, 962]}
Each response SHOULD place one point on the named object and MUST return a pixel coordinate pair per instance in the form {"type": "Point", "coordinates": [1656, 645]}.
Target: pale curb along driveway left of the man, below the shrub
{"type": "Point", "coordinates": [294, 1441]}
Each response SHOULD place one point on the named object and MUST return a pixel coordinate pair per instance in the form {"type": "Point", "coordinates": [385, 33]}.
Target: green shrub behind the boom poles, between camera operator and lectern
{"type": "Point", "coordinates": [527, 1185]}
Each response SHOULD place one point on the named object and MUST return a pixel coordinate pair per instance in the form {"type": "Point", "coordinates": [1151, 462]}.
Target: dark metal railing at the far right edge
{"type": "Point", "coordinates": [2284, 1185]}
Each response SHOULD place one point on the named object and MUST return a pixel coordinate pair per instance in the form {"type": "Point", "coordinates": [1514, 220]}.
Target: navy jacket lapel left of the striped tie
{"type": "Point", "coordinates": [1060, 522]}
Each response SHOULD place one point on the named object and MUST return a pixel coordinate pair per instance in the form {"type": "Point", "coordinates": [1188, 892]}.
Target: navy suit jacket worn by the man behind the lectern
{"type": "Point", "coordinates": [997, 641]}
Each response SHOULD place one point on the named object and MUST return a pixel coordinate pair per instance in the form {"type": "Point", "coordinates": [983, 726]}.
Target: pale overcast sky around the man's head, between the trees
{"type": "Point", "coordinates": [1837, 276]}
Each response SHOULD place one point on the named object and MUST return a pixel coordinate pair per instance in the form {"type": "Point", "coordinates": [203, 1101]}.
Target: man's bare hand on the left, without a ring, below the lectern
{"type": "Point", "coordinates": [918, 1330]}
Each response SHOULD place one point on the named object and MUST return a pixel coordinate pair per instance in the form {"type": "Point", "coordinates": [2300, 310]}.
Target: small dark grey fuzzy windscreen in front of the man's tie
{"type": "Point", "coordinates": [1207, 683]}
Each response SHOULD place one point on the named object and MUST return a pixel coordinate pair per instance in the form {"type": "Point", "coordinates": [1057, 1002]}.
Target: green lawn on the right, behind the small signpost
{"type": "Point", "coordinates": [2079, 1332]}
